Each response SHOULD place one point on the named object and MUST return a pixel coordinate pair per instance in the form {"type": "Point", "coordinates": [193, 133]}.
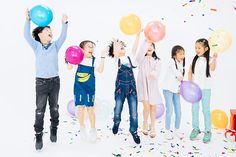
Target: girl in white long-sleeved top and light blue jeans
{"type": "Point", "coordinates": [174, 74]}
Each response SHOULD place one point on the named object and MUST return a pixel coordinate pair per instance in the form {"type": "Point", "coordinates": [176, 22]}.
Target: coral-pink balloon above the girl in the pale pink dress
{"type": "Point", "coordinates": [154, 31]}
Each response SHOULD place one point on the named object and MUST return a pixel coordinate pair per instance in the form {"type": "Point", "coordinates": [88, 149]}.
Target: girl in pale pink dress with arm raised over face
{"type": "Point", "coordinates": [147, 83]}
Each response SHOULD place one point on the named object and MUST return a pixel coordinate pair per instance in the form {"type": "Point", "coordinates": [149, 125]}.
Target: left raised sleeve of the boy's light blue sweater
{"type": "Point", "coordinates": [31, 41]}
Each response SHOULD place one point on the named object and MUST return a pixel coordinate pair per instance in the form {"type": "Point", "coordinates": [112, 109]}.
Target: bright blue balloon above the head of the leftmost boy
{"type": "Point", "coordinates": [41, 15]}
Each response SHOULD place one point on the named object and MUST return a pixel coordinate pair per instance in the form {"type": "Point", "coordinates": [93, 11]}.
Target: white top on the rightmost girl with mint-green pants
{"type": "Point", "coordinates": [199, 76]}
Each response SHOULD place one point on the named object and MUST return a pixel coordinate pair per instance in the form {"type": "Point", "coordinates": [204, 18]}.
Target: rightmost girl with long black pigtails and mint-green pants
{"type": "Point", "coordinates": [199, 72]}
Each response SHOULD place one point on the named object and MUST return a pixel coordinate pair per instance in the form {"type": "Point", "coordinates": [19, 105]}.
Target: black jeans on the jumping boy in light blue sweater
{"type": "Point", "coordinates": [46, 89]}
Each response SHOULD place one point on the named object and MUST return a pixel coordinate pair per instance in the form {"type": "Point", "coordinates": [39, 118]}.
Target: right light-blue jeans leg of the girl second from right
{"type": "Point", "coordinates": [177, 109]}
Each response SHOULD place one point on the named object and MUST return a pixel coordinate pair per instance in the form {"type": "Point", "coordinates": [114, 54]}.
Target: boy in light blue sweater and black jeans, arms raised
{"type": "Point", "coordinates": [47, 79]}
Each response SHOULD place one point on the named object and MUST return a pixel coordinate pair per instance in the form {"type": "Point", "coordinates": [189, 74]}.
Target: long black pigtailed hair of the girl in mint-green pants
{"type": "Point", "coordinates": [204, 42]}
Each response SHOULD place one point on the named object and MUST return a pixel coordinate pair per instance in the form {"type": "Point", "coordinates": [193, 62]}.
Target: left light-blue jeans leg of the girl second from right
{"type": "Point", "coordinates": [169, 109]}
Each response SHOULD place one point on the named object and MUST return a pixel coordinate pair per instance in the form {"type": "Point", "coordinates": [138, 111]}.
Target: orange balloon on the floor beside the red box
{"type": "Point", "coordinates": [219, 119]}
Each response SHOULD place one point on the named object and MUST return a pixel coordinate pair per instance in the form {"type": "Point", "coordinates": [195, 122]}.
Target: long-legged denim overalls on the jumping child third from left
{"type": "Point", "coordinates": [126, 88]}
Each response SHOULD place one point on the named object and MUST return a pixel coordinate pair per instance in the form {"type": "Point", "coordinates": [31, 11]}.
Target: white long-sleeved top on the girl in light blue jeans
{"type": "Point", "coordinates": [171, 81]}
